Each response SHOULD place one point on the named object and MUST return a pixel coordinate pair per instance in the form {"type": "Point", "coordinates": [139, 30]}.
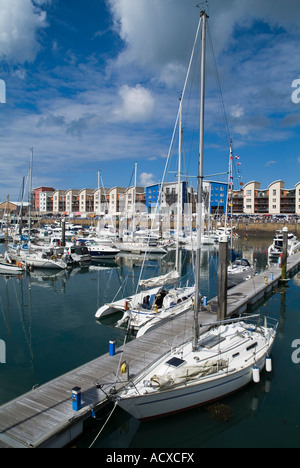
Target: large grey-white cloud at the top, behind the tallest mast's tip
{"type": "Point", "coordinates": [158, 34]}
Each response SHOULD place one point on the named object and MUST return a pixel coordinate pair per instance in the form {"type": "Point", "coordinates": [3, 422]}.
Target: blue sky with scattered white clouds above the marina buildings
{"type": "Point", "coordinates": [93, 86]}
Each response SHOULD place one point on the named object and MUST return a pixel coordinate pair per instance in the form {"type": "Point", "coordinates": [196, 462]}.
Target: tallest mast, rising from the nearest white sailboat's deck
{"type": "Point", "coordinates": [197, 305]}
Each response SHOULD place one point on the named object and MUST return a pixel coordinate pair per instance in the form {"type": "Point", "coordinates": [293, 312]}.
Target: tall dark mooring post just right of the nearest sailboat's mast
{"type": "Point", "coordinates": [222, 278]}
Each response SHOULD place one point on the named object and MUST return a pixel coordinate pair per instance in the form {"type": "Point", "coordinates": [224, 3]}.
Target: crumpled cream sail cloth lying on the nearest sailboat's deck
{"type": "Point", "coordinates": [187, 374]}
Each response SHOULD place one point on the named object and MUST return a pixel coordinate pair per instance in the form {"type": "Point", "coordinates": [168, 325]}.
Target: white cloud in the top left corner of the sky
{"type": "Point", "coordinates": [20, 22]}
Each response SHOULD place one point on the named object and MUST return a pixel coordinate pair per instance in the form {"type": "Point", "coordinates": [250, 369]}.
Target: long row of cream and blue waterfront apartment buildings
{"type": "Point", "coordinates": [250, 200]}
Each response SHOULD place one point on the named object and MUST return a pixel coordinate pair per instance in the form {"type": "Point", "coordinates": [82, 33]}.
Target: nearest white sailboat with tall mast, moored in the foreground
{"type": "Point", "coordinates": [224, 359]}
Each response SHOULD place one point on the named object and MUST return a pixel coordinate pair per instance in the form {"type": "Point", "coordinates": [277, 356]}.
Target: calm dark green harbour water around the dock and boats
{"type": "Point", "coordinates": [48, 325]}
